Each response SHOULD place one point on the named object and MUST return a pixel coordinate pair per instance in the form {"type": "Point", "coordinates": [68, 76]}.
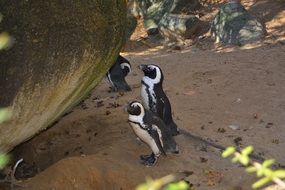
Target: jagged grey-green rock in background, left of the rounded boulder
{"type": "Point", "coordinates": [169, 16]}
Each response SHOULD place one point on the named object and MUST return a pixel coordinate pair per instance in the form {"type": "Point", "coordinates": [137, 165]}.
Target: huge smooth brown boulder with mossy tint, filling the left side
{"type": "Point", "coordinates": [61, 51]}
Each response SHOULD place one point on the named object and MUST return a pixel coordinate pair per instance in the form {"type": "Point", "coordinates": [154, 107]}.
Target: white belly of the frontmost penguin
{"type": "Point", "coordinates": [145, 137]}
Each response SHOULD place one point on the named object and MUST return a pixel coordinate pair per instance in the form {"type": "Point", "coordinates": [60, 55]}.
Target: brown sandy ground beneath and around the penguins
{"type": "Point", "coordinates": [209, 87]}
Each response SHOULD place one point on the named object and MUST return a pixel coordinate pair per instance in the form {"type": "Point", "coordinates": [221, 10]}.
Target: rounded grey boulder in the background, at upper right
{"type": "Point", "coordinates": [234, 25]}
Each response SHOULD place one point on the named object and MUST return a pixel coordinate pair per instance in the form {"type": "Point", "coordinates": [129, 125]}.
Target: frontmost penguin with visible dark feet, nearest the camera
{"type": "Point", "coordinates": [151, 130]}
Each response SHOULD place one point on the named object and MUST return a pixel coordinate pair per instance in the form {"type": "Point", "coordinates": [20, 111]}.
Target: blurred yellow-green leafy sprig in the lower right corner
{"type": "Point", "coordinates": [263, 171]}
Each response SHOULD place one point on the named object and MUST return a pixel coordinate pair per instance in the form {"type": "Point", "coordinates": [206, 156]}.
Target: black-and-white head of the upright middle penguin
{"type": "Point", "coordinates": [152, 72]}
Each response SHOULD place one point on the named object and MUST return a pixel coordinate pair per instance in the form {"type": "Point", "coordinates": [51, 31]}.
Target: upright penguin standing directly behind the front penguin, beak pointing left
{"type": "Point", "coordinates": [153, 96]}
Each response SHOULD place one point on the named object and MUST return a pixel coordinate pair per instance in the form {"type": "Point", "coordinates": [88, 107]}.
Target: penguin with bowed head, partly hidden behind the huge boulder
{"type": "Point", "coordinates": [117, 73]}
